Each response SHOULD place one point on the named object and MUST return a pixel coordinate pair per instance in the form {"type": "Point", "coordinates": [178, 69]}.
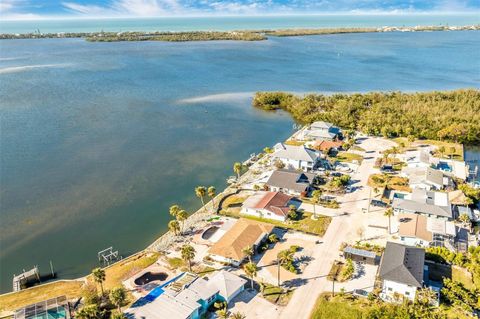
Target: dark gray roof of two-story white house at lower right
{"type": "Point", "coordinates": [403, 264]}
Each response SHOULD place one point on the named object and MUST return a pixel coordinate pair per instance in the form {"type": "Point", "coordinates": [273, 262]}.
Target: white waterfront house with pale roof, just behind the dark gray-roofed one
{"type": "Point", "coordinates": [295, 157]}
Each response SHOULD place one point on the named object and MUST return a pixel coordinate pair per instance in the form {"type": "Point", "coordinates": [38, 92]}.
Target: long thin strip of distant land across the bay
{"type": "Point", "coordinates": [244, 35]}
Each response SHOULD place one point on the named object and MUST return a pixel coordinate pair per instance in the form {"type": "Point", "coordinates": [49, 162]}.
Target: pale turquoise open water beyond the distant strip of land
{"type": "Point", "coordinates": [237, 23]}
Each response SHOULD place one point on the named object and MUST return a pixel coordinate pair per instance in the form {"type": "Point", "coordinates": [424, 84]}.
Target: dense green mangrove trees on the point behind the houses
{"type": "Point", "coordinates": [449, 115]}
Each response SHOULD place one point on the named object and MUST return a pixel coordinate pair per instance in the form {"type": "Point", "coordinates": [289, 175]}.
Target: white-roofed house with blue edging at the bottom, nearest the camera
{"type": "Point", "coordinates": [187, 297]}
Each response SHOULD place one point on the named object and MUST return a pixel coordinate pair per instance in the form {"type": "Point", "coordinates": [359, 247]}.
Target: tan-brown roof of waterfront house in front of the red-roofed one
{"type": "Point", "coordinates": [244, 233]}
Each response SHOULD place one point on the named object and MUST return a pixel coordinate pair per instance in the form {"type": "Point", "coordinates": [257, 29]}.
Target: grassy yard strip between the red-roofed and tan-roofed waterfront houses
{"type": "Point", "coordinates": [304, 223]}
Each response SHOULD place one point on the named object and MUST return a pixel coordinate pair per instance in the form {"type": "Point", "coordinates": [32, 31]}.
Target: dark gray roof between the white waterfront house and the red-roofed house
{"type": "Point", "coordinates": [291, 179]}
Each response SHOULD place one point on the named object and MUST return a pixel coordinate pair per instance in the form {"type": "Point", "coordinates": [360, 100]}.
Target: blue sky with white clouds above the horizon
{"type": "Point", "coordinates": [24, 9]}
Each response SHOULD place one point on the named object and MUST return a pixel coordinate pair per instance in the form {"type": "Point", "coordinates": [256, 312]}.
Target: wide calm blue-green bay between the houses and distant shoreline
{"type": "Point", "coordinates": [99, 139]}
